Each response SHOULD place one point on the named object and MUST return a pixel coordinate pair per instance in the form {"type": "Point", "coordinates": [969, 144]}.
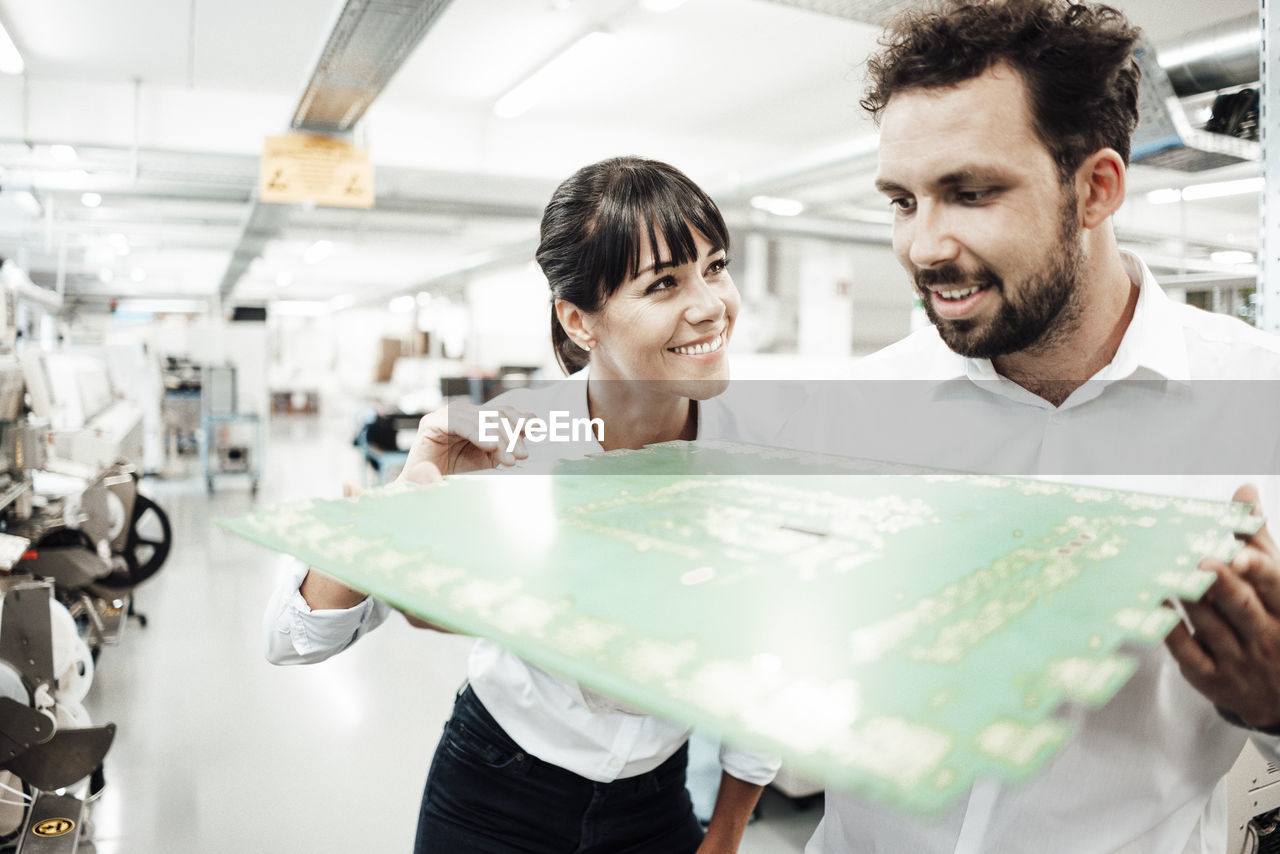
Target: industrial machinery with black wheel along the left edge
{"type": "Point", "coordinates": [76, 540]}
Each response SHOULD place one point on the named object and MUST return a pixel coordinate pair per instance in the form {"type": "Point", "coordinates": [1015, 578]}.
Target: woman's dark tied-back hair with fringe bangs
{"type": "Point", "coordinates": [596, 227]}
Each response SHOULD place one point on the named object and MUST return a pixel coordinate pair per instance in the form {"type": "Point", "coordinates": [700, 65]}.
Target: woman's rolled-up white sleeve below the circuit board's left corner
{"type": "Point", "coordinates": [299, 636]}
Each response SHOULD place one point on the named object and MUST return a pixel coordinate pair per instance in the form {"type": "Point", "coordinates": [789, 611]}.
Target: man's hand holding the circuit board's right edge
{"type": "Point", "coordinates": [1235, 656]}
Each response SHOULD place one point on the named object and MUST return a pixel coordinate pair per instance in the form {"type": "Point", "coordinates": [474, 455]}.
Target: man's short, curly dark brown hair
{"type": "Point", "coordinates": [1076, 60]}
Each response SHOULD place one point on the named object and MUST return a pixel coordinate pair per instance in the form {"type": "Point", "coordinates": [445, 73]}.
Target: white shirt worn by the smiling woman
{"type": "Point", "coordinates": [551, 718]}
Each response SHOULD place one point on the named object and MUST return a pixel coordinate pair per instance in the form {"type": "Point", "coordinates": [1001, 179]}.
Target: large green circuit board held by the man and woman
{"type": "Point", "coordinates": [899, 634]}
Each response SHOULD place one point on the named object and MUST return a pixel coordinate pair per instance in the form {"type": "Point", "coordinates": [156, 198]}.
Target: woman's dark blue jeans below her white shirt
{"type": "Point", "coordinates": [486, 796]}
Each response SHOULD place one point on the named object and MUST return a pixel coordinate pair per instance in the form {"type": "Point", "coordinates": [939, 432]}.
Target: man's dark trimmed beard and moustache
{"type": "Point", "coordinates": [1044, 310]}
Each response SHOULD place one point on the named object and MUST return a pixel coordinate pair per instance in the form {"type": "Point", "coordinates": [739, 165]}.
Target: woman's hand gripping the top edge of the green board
{"type": "Point", "coordinates": [451, 441]}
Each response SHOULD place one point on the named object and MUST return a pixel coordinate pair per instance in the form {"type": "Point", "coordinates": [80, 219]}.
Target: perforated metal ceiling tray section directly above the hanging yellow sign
{"type": "Point", "coordinates": [368, 45]}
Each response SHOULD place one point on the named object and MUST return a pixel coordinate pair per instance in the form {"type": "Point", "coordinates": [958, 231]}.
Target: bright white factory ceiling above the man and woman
{"type": "Point", "coordinates": [168, 102]}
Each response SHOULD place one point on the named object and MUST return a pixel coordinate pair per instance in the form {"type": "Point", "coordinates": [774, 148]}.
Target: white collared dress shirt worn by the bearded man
{"type": "Point", "coordinates": [1139, 774]}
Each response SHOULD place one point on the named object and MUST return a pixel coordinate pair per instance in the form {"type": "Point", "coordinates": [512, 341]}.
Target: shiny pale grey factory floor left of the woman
{"type": "Point", "coordinates": [218, 751]}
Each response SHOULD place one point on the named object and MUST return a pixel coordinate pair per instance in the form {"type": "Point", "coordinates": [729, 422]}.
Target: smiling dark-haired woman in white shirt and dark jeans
{"type": "Point", "coordinates": [643, 310]}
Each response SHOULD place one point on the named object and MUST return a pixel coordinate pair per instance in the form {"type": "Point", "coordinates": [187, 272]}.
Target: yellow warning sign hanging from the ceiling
{"type": "Point", "coordinates": [328, 172]}
